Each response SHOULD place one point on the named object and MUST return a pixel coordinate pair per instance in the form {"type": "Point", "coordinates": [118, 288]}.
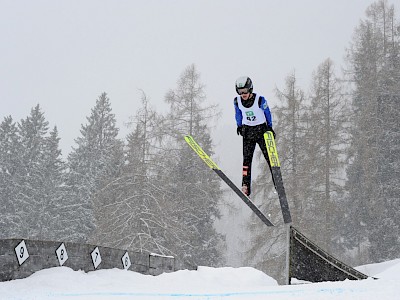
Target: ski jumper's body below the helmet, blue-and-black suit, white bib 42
{"type": "Point", "coordinates": [254, 116]}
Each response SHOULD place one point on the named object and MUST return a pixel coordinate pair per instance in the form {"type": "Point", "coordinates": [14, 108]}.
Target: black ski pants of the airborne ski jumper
{"type": "Point", "coordinates": [253, 135]}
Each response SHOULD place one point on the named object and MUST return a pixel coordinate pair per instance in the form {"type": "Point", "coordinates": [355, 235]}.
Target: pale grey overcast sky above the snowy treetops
{"type": "Point", "coordinates": [63, 54]}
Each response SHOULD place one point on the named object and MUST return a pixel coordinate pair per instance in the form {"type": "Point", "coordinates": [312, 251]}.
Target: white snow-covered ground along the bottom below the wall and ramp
{"type": "Point", "coordinates": [206, 283]}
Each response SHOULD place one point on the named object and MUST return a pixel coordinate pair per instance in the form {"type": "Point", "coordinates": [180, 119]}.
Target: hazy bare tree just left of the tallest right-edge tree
{"type": "Point", "coordinates": [326, 144]}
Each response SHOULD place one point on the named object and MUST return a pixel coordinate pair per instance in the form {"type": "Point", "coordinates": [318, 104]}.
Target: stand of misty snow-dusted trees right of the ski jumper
{"type": "Point", "coordinates": [339, 148]}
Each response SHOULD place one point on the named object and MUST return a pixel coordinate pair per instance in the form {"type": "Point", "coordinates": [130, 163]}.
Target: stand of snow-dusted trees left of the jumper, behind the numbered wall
{"type": "Point", "coordinates": [148, 193]}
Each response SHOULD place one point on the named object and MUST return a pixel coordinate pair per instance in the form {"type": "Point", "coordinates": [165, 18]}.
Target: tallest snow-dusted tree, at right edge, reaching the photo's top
{"type": "Point", "coordinates": [372, 181]}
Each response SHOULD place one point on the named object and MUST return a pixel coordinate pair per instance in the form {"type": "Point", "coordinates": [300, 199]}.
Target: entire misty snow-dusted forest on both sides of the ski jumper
{"type": "Point", "coordinates": [338, 142]}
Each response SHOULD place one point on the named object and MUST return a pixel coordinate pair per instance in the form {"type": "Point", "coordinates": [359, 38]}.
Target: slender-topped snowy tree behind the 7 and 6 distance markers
{"type": "Point", "coordinates": [134, 218]}
